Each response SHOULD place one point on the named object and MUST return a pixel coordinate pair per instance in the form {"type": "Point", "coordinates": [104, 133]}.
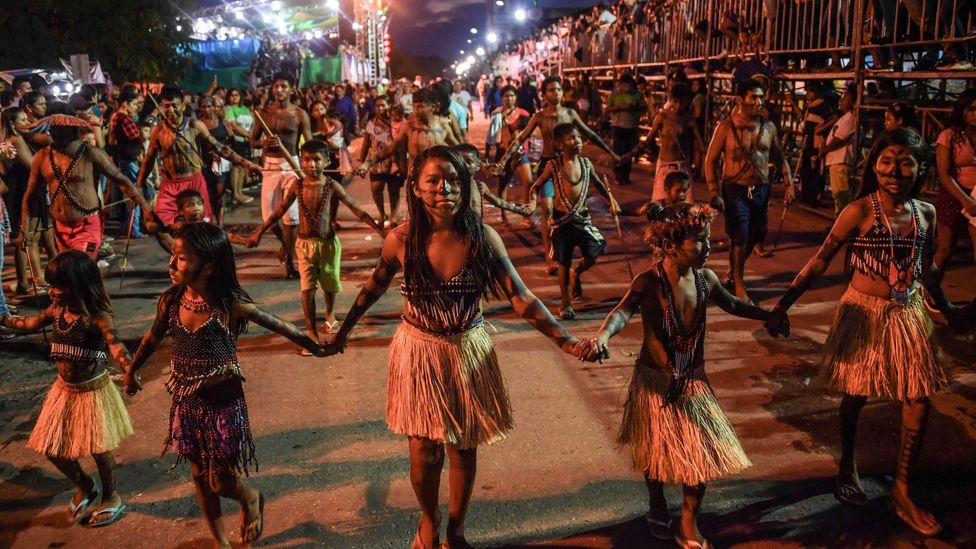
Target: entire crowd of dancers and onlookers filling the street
{"type": "Point", "coordinates": [174, 157]}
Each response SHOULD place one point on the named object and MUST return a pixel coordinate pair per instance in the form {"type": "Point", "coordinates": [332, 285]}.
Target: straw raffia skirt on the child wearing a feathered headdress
{"type": "Point", "coordinates": [689, 441]}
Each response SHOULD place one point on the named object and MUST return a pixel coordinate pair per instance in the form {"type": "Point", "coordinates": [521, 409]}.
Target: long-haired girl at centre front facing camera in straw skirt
{"type": "Point", "coordinates": [445, 387]}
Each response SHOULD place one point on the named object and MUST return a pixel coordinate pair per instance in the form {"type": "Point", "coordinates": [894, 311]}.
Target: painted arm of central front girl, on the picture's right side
{"type": "Point", "coordinates": [527, 306]}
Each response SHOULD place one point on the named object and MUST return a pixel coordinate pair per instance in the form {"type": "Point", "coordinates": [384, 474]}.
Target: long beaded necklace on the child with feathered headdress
{"type": "Point", "coordinates": [682, 346]}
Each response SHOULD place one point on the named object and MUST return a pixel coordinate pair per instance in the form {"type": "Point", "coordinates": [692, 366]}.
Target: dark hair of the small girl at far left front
{"type": "Point", "coordinates": [75, 272]}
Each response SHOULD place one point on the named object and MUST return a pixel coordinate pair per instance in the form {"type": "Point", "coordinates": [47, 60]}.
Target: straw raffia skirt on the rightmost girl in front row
{"type": "Point", "coordinates": [878, 348]}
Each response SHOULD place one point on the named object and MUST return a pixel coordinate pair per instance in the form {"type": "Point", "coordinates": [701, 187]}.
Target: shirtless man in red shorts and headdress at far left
{"type": "Point", "coordinates": [68, 168]}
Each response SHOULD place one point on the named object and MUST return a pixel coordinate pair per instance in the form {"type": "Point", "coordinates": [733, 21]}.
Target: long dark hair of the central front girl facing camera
{"type": "Point", "coordinates": [418, 274]}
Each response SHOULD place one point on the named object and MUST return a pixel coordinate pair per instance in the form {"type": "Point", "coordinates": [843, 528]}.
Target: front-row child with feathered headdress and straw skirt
{"type": "Point", "coordinates": [673, 423]}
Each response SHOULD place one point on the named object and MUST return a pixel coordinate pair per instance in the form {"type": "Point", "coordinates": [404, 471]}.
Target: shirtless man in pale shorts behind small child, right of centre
{"type": "Point", "coordinates": [679, 135]}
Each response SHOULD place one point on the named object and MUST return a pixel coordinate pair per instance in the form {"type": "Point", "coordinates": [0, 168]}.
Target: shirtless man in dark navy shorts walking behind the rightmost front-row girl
{"type": "Point", "coordinates": [745, 142]}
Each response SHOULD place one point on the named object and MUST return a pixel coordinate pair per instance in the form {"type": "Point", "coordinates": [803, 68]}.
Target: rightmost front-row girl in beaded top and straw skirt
{"type": "Point", "coordinates": [880, 344]}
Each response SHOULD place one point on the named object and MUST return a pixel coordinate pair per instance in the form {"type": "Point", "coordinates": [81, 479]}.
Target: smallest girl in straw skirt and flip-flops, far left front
{"type": "Point", "coordinates": [83, 414]}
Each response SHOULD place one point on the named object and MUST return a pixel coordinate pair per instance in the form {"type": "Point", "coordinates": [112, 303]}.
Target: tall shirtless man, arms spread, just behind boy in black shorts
{"type": "Point", "coordinates": [545, 121]}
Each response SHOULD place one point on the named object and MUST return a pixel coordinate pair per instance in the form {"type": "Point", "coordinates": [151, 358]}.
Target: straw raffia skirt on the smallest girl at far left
{"type": "Point", "coordinates": [81, 419]}
